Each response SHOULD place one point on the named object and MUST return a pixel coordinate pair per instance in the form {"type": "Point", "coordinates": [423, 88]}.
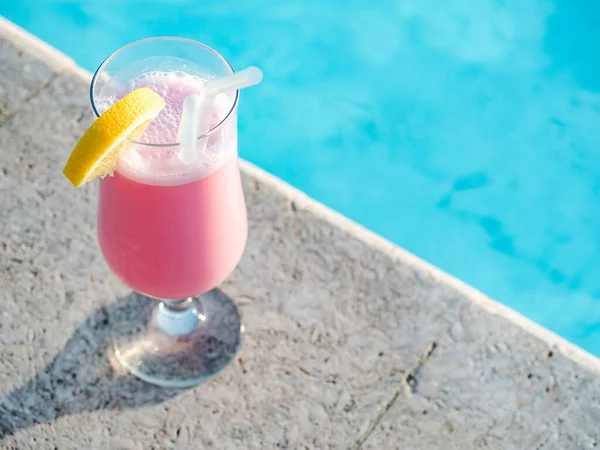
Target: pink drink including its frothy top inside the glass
{"type": "Point", "coordinates": [168, 230]}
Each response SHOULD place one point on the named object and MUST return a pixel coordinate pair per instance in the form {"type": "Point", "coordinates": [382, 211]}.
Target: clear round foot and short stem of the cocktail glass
{"type": "Point", "coordinates": [181, 343]}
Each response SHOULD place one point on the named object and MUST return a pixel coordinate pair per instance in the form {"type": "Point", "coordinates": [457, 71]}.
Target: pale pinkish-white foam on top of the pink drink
{"type": "Point", "coordinates": [160, 165]}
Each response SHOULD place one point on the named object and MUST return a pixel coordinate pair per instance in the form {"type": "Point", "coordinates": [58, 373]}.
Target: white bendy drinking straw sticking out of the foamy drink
{"type": "Point", "coordinates": [198, 110]}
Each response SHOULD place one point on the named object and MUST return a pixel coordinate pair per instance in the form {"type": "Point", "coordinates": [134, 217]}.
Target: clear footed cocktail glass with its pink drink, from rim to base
{"type": "Point", "coordinates": [173, 232]}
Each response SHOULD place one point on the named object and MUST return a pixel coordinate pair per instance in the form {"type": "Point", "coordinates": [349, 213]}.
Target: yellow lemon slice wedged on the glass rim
{"type": "Point", "coordinates": [97, 152]}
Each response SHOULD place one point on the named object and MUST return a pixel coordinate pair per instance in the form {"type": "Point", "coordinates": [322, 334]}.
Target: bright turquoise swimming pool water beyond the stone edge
{"type": "Point", "coordinates": [468, 132]}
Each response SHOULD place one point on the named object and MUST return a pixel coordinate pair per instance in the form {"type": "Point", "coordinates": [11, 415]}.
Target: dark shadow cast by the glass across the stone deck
{"type": "Point", "coordinates": [81, 377]}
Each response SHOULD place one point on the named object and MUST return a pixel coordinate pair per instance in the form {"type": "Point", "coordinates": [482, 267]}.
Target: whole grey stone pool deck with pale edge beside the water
{"type": "Point", "coordinates": [351, 342]}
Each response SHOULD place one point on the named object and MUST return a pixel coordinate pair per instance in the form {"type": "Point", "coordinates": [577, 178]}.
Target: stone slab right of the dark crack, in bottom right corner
{"type": "Point", "coordinates": [489, 385]}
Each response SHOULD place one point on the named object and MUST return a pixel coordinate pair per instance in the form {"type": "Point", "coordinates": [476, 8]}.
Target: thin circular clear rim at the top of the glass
{"type": "Point", "coordinates": [175, 39]}
